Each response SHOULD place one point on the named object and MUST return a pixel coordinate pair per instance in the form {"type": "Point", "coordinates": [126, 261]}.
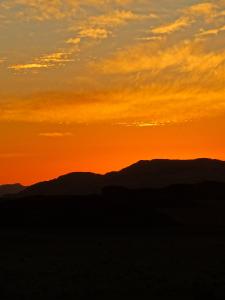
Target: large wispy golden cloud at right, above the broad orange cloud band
{"type": "Point", "coordinates": [183, 57]}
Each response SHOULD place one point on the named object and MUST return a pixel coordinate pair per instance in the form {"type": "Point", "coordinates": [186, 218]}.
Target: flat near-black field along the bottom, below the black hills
{"type": "Point", "coordinates": [73, 266]}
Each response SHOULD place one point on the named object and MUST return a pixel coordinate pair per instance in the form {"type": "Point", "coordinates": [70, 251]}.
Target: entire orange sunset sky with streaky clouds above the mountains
{"type": "Point", "coordinates": [96, 85]}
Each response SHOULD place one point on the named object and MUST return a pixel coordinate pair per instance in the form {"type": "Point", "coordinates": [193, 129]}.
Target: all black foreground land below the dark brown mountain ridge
{"type": "Point", "coordinates": [166, 243]}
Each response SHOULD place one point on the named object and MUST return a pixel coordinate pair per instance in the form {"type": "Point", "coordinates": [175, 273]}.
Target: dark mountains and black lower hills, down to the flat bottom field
{"type": "Point", "coordinates": [147, 194]}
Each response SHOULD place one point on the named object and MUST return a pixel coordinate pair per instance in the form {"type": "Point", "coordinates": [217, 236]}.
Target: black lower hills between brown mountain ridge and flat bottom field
{"type": "Point", "coordinates": [193, 206]}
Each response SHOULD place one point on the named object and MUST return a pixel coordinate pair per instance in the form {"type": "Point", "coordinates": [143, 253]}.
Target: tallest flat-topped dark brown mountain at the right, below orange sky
{"type": "Point", "coordinates": [163, 172]}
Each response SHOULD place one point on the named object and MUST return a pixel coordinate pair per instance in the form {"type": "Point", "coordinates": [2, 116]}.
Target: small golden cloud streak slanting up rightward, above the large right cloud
{"type": "Point", "coordinates": [172, 27]}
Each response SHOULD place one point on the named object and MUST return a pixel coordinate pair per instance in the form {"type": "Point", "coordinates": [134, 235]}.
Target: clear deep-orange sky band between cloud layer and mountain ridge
{"type": "Point", "coordinates": [102, 148]}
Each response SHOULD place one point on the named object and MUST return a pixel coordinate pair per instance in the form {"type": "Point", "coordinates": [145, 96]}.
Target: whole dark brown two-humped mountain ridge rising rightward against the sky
{"type": "Point", "coordinates": [156, 173]}
